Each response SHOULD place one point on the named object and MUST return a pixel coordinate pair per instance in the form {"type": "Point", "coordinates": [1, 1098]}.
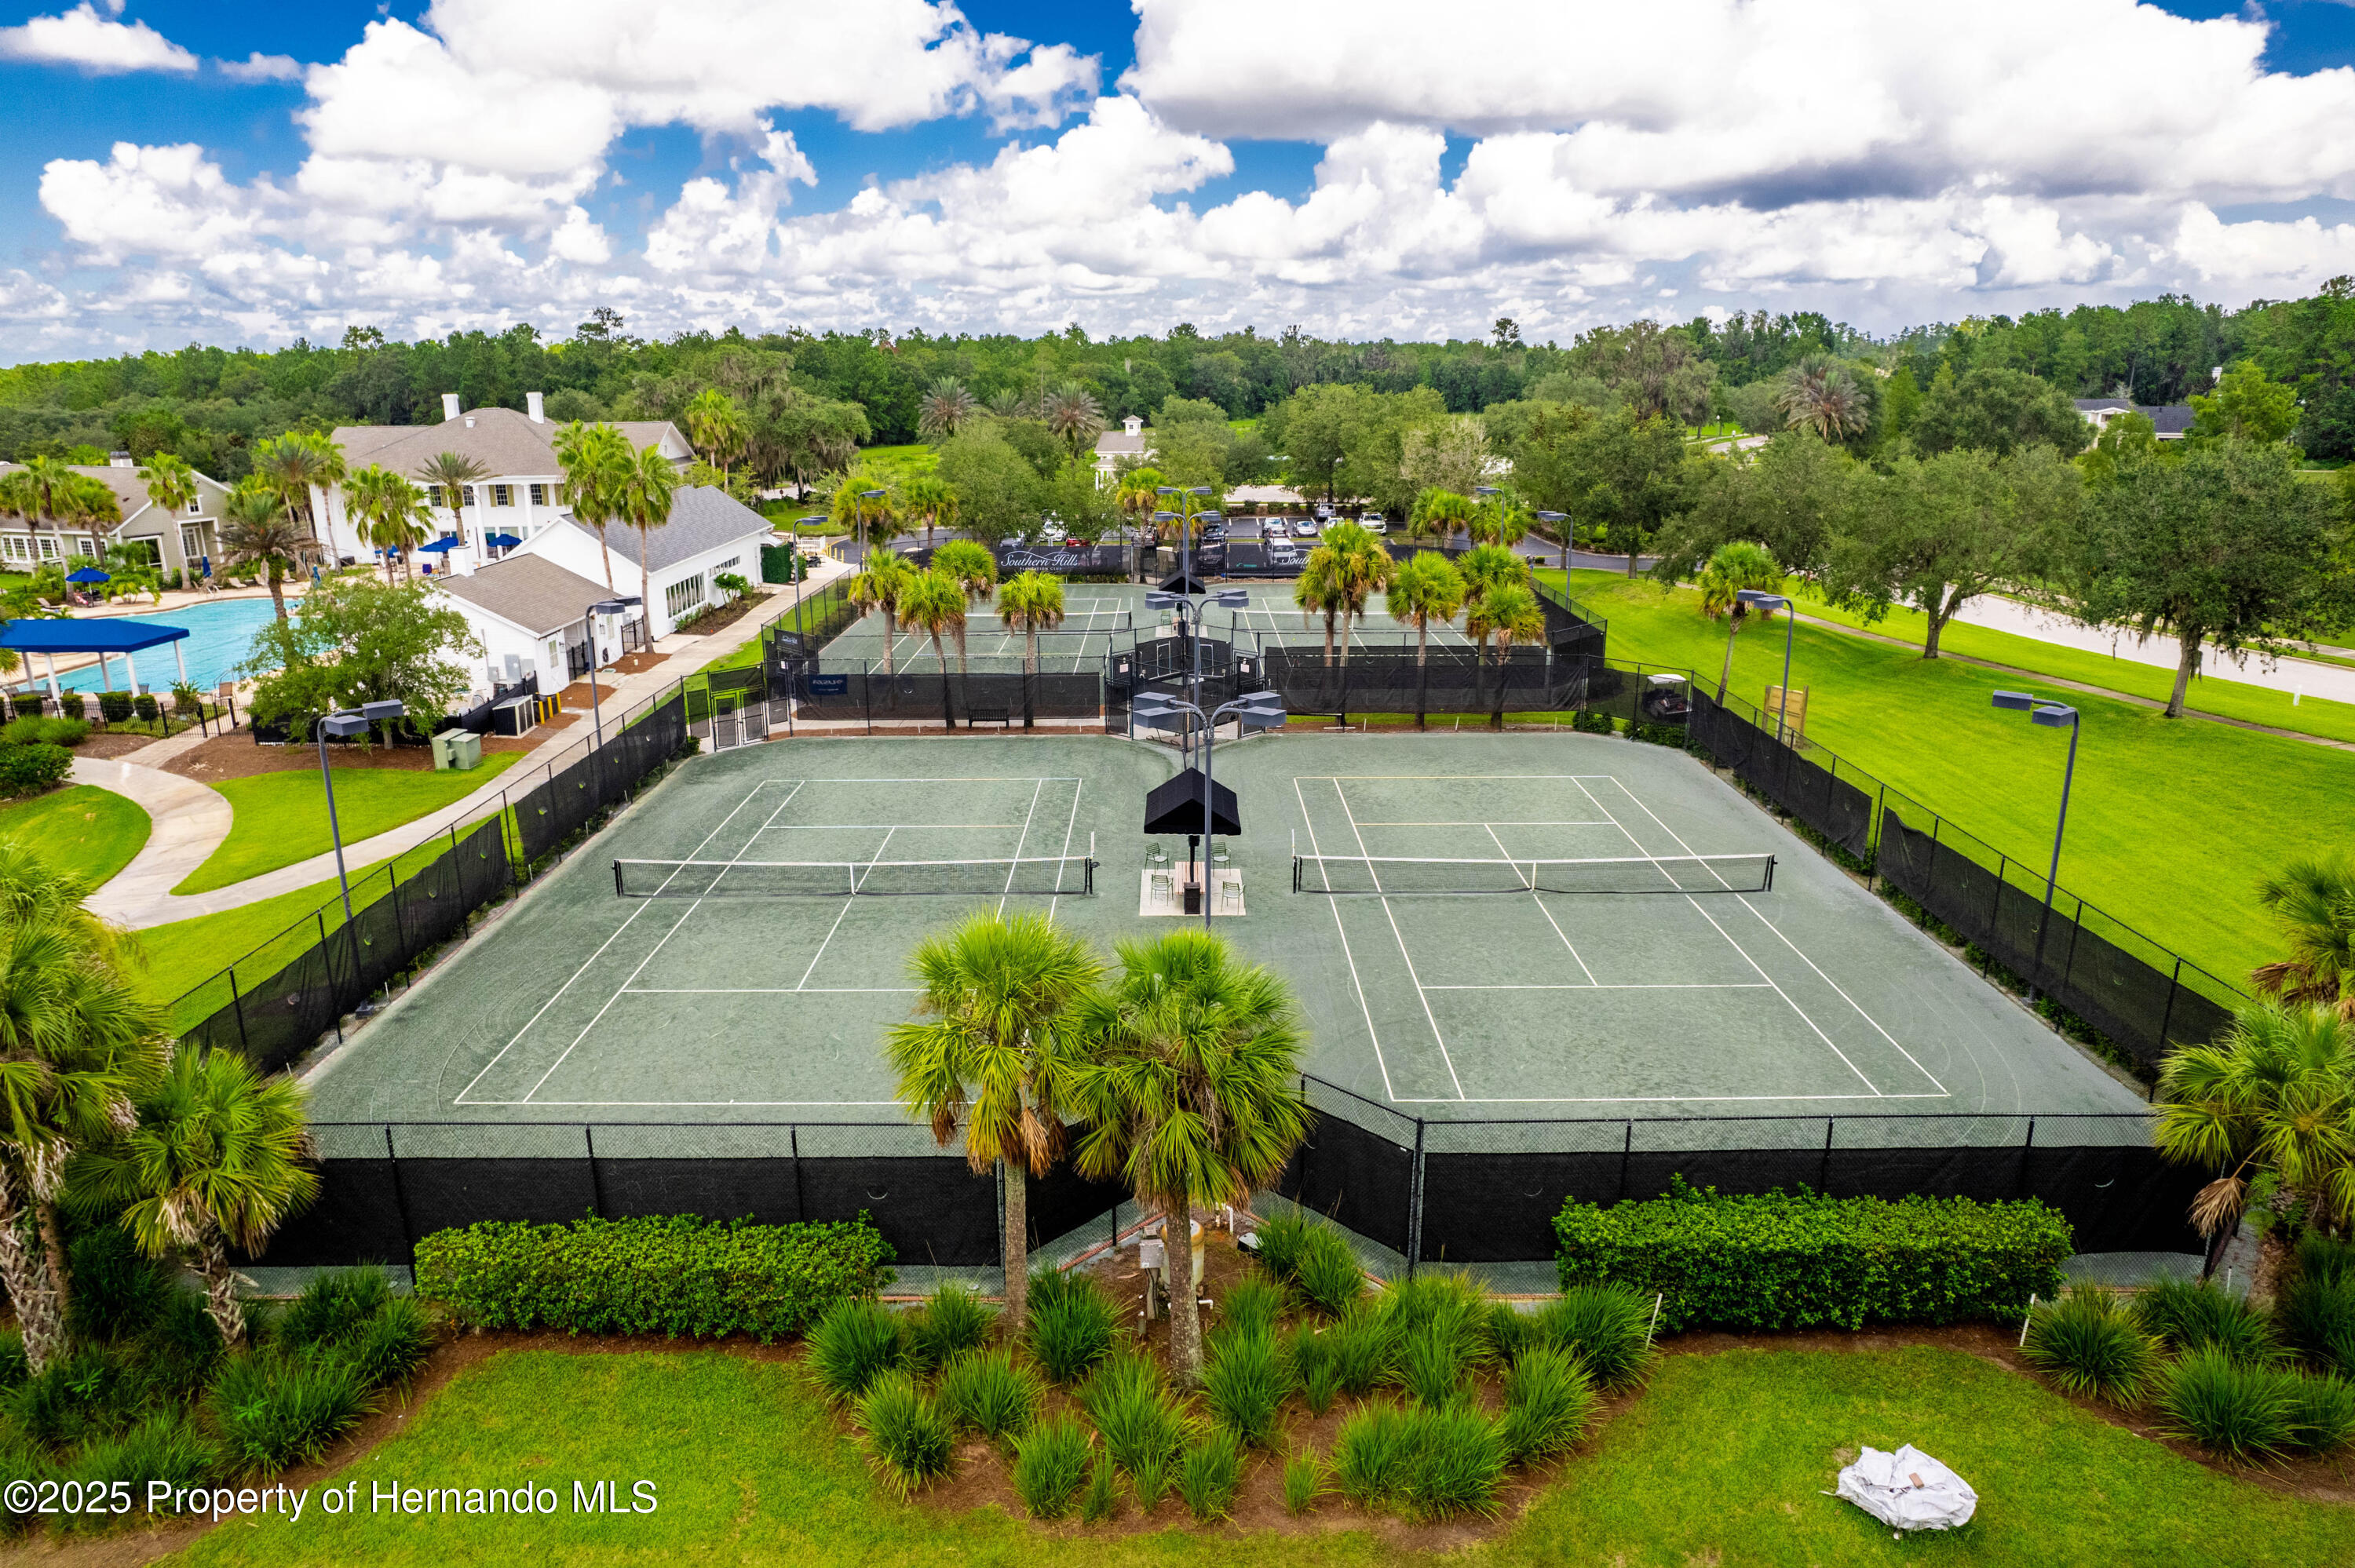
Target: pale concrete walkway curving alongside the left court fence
{"type": "Point", "coordinates": [192, 820]}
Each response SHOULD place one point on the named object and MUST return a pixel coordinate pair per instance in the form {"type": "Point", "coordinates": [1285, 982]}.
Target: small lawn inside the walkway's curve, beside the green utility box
{"type": "Point", "coordinates": [281, 818]}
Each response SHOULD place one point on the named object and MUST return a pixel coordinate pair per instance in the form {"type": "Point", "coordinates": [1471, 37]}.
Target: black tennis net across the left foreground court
{"type": "Point", "coordinates": [832, 879]}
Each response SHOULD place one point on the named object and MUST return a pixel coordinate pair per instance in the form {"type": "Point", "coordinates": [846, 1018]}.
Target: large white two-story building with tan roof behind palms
{"type": "Point", "coordinates": [519, 484]}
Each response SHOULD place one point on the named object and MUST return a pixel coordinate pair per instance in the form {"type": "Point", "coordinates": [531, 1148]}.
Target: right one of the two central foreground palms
{"type": "Point", "coordinates": [1190, 1094]}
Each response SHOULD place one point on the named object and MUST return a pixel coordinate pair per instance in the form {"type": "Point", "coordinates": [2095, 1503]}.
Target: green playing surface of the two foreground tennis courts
{"type": "Point", "coordinates": [757, 990]}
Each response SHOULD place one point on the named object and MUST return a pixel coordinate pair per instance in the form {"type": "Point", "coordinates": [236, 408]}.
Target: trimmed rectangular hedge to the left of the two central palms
{"type": "Point", "coordinates": [651, 1277]}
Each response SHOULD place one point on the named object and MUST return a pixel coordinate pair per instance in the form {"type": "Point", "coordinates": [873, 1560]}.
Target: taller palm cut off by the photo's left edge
{"type": "Point", "coordinates": [77, 1039]}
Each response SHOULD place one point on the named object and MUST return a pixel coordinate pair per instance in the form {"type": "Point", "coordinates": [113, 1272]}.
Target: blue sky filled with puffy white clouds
{"type": "Point", "coordinates": [1358, 166]}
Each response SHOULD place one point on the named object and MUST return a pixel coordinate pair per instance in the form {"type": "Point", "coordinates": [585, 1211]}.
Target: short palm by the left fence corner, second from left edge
{"type": "Point", "coordinates": [220, 1160]}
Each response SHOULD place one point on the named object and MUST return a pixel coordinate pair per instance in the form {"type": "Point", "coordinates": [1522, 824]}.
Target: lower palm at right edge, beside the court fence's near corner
{"type": "Point", "coordinates": [2274, 1098]}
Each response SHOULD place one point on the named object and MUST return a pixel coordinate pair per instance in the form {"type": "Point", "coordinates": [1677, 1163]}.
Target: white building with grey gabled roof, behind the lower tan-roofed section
{"type": "Point", "coordinates": [710, 533]}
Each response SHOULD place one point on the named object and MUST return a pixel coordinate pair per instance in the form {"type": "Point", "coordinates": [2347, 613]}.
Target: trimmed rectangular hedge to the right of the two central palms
{"type": "Point", "coordinates": [1796, 1261]}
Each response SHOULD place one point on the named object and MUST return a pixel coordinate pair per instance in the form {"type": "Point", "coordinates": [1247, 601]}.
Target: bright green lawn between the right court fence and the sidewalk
{"type": "Point", "coordinates": [2172, 823]}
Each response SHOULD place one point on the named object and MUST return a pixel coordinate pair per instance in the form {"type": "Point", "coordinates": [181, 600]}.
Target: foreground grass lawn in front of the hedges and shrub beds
{"type": "Point", "coordinates": [1720, 1461]}
